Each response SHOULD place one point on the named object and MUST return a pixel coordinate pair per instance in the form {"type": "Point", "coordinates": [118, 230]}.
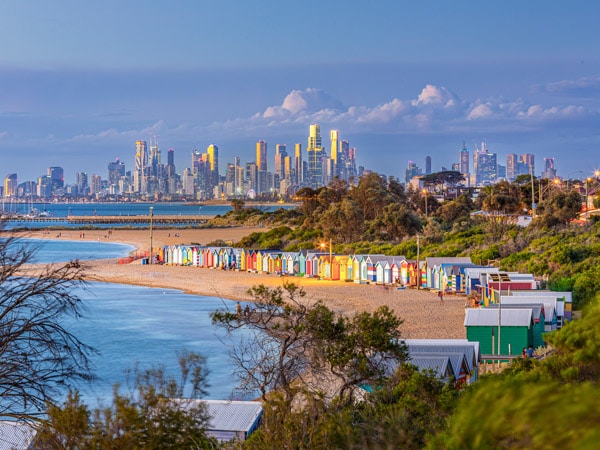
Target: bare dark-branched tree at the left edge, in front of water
{"type": "Point", "coordinates": [38, 356]}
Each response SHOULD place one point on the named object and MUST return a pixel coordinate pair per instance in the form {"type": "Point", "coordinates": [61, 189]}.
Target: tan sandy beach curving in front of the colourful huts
{"type": "Point", "coordinates": [423, 315]}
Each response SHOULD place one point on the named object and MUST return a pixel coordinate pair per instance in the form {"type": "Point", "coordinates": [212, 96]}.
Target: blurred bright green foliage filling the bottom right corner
{"type": "Point", "coordinates": [552, 403]}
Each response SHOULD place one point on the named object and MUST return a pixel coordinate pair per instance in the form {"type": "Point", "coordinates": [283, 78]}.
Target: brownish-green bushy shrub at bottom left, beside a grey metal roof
{"type": "Point", "coordinates": [159, 412]}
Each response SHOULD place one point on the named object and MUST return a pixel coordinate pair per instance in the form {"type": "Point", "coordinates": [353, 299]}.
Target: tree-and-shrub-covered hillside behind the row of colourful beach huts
{"type": "Point", "coordinates": [379, 216]}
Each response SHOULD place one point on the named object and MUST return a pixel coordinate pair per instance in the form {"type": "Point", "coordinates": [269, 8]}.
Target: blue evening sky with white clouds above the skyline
{"type": "Point", "coordinates": [80, 82]}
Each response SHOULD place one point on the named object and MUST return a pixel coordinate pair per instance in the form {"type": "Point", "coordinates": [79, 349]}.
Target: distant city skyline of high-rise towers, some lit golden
{"type": "Point", "coordinates": [320, 163]}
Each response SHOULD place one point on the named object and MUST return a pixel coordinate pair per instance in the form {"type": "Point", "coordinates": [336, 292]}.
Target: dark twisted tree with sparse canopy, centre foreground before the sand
{"type": "Point", "coordinates": [293, 346]}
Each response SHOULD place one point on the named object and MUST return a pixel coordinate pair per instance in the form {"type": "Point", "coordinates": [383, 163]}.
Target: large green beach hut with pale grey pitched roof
{"type": "Point", "coordinates": [516, 329]}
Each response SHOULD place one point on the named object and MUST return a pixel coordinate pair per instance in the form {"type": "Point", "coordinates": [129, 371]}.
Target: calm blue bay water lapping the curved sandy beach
{"type": "Point", "coordinates": [132, 324]}
